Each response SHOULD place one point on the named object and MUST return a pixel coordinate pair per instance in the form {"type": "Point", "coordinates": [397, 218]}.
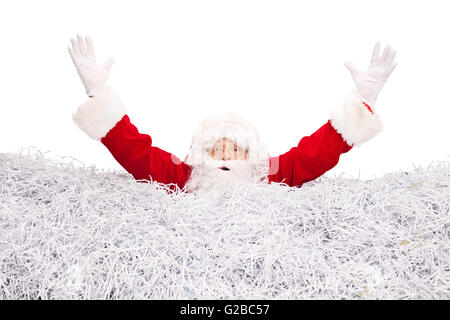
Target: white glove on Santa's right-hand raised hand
{"type": "Point", "coordinates": [370, 81]}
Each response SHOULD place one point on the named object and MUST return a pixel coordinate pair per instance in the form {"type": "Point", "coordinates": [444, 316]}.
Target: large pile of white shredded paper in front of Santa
{"type": "Point", "coordinates": [68, 231]}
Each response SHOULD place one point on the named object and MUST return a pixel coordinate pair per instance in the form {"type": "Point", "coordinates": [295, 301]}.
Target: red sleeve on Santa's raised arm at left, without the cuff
{"type": "Point", "coordinates": [135, 153]}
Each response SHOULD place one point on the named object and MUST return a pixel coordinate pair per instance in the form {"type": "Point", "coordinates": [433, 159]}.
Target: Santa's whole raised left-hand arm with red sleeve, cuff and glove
{"type": "Point", "coordinates": [103, 117]}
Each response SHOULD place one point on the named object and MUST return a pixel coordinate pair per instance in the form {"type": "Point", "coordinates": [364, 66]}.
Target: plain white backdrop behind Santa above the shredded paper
{"type": "Point", "coordinates": [278, 63]}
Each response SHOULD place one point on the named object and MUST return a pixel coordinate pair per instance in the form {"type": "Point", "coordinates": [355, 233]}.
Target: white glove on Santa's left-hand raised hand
{"type": "Point", "coordinates": [92, 75]}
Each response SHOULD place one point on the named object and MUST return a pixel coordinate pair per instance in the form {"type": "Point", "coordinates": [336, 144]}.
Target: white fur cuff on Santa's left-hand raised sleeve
{"type": "Point", "coordinates": [99, 114]}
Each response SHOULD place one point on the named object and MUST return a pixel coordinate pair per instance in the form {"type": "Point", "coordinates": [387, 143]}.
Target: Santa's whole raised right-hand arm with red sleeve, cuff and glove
{"type": "Point", "coordinates": [351, 124]}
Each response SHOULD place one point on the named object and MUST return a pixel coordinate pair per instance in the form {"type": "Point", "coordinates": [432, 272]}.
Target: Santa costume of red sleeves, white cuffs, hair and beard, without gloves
{"type": "Point", "coordinates": [105, 118]}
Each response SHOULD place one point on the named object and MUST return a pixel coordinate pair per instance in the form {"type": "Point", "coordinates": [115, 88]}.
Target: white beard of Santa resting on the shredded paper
{"type": "Point", "coordinates": [209, 176]}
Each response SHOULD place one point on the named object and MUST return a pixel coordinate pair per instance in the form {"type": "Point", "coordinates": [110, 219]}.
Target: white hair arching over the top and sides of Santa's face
{"type": "Point", "coordinates": [233, 127]}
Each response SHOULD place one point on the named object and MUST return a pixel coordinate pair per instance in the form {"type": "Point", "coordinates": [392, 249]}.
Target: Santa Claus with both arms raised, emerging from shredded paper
{"type": "Point", "coordinates": [226, 148]}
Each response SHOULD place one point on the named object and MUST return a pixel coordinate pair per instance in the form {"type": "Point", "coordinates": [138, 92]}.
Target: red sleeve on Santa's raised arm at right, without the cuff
{"type": "Point", "coordinates": [314, 155]}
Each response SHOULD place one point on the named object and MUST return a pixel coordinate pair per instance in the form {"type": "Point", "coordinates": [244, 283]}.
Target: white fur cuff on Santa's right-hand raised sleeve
{"type": "Point", "coordinates": [354, 121]}
